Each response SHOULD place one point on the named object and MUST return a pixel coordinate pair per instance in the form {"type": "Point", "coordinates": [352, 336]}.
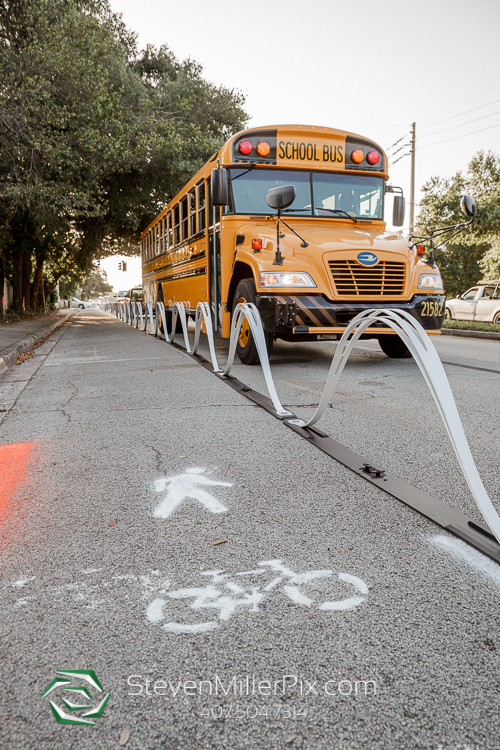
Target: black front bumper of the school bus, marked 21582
{"type": "Point", "coordinates": [310, 315]}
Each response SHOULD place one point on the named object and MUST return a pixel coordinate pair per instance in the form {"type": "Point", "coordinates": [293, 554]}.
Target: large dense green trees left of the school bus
{"type": "Point", "coordinates": [95, 137]}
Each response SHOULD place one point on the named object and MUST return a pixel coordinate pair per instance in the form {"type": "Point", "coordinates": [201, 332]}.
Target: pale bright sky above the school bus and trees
{"type": "Point", "coordinates": [369, 67]}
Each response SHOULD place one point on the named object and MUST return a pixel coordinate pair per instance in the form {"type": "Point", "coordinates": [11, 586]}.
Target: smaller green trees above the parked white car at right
{"type": "Point", "coordinates": [475, 253]}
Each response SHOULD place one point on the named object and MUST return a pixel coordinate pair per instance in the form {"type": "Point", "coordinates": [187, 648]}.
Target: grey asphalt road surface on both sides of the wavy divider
{"type": "Point", "coordinates": [229, 585]}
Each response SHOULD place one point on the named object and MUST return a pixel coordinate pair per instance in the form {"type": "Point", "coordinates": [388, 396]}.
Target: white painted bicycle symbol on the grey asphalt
{"type": "Point", "coordinates": [227, 596]}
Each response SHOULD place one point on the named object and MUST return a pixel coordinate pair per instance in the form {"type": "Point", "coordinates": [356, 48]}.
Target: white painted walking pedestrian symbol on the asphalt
{"type": "Point", "coordinates": [187, 486]}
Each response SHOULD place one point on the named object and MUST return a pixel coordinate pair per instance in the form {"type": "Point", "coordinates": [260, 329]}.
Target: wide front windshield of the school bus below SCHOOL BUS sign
{"type": "Point", "coordinates": [317, 193]}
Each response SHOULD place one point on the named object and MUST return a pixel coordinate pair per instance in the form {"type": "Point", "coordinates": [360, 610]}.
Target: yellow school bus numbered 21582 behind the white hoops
{"type": "Point", "coordinates": [309, 265]}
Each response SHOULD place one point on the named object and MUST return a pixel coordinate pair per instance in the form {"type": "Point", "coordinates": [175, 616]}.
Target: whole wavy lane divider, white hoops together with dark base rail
{"type": "Point", "coordinates": [483, 536]}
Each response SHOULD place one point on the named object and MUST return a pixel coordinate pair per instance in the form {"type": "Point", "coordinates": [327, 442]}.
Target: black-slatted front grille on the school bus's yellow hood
{"type": "Point", "coordinates": [386, 279]}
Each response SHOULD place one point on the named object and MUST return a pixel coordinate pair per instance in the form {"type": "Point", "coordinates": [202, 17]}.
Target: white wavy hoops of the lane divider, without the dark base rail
{"type": "Point", "coordinates": [402, 323]}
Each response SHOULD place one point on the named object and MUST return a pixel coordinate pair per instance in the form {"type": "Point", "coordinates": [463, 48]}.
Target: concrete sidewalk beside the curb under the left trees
{"type": "Point", "coordinates": [21, 335]}
